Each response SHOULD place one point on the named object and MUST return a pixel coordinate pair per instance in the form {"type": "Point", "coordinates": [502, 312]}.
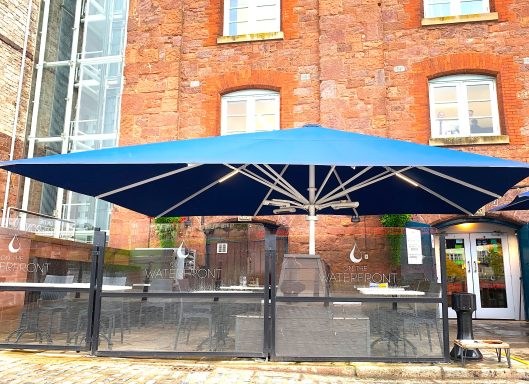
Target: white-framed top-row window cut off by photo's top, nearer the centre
{"type": "Point", "coordinates": [242, 17]}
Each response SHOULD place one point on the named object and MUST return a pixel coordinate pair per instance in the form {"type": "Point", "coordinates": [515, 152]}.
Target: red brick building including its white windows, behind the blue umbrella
{"type": "Point", "coordinates": [451, 73]}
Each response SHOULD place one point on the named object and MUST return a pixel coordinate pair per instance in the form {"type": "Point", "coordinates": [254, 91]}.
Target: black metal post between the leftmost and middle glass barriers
{"type": "Point", "coordinates": [96, 287]}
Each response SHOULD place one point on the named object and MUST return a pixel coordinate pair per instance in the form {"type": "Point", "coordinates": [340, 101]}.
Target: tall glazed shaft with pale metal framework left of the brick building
{"type": "Point", "coordinates": [77, 98]}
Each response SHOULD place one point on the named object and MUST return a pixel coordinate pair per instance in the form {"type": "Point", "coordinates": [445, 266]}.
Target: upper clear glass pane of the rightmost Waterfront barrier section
{"type": "Point", "coordinates": [401, 260]}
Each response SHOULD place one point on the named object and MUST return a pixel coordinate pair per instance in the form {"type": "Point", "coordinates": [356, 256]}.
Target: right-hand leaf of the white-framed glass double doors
{"type": "Point", "coordinates": [491, 276]}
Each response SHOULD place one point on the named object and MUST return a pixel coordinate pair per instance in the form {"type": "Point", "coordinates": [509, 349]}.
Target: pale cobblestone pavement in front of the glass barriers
{"type": "Point", "coordinates": [67, 368]}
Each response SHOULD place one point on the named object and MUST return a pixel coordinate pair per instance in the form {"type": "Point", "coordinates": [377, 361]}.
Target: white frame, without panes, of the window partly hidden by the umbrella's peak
{"type": "Point", "coordinates": [250, 96]}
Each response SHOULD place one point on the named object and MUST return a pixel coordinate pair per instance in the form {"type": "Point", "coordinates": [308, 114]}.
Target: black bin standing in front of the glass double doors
{"type": "Point", "coordinates": [464, 304]}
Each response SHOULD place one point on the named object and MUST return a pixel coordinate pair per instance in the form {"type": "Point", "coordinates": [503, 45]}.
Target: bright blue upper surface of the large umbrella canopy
{"type": "Point", "coordinates": [311, 145]}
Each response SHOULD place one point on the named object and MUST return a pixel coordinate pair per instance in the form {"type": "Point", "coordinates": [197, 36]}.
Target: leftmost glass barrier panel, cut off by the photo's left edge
{"type": "Point", "coordinates": [44, 289]}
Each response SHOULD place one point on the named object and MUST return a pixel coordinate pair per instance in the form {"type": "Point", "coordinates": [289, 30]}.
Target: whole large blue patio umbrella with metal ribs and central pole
{"type": "Point", "coordinates": [313, 170]}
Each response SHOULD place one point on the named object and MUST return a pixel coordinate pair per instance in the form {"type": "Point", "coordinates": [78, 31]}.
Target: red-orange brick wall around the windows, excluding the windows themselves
{"type": "Point", "coordinates": [176, 73]}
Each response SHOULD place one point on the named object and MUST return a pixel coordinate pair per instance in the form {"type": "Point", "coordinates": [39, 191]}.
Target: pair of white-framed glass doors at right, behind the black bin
{"type": "Point", "coordinates": [479, 263]}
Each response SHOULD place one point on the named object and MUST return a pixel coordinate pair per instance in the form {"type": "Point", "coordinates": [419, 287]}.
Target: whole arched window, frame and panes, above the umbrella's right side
{"type": "Point", "coordinates": [464, 105]}
